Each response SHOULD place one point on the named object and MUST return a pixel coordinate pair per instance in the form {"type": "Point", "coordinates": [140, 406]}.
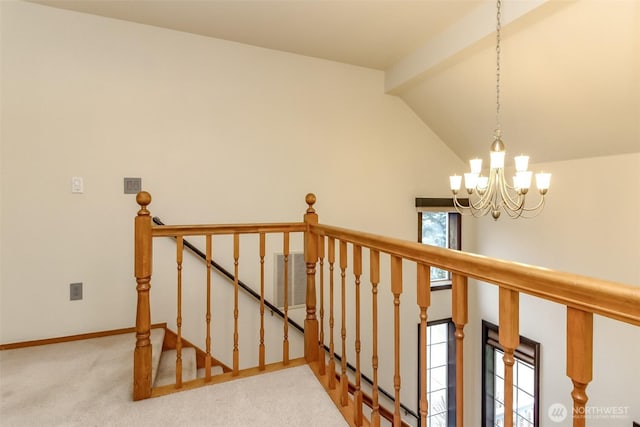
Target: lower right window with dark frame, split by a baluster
{"type": "Point", "coordinates": [526, 374]}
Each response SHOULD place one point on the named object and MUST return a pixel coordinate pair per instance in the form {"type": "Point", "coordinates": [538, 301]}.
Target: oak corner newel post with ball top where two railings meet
{"type": "Point", "coordinates": [311, 258]}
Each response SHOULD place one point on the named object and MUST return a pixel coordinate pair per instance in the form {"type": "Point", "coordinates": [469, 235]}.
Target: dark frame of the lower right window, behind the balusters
{"type": "Point", "coordinates": [528, 351]}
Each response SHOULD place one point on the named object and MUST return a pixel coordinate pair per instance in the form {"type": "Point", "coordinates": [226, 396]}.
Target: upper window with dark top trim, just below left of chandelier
{"type": "Point", "coordinates": [439, 226]}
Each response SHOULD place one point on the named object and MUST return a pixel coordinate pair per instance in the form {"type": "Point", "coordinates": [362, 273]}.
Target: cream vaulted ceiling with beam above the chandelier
{"type": "Point", "coordinates": [570, 70]}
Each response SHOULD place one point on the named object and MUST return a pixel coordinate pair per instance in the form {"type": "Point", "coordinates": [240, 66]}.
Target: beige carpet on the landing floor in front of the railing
{"type": "Point", "coordinates": [88, 383]}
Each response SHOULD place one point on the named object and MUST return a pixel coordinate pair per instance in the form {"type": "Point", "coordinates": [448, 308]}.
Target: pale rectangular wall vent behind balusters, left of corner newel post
{"type": "Point", "coordinates": [296, 281]}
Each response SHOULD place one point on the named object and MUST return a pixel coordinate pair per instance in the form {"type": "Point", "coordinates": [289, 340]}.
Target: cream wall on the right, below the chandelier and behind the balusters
{"type": "Point", "coordinates": [591, 226]}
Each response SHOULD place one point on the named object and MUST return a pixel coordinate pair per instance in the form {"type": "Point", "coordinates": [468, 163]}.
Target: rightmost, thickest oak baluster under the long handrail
{"type": "Point", "coordinates": [579, 359]}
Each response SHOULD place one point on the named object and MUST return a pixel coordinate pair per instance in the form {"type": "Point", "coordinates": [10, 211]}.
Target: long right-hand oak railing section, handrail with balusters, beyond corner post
{"type": "Point", "coordinates": [583, 297]}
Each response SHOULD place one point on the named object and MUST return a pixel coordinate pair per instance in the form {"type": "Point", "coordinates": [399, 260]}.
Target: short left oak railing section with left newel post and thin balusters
{"type": "Point", "coordinates": [145, 232]}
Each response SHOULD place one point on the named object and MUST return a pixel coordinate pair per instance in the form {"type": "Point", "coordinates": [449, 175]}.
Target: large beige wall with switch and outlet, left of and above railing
{"type": "Point", "coordinates": [218, 131]}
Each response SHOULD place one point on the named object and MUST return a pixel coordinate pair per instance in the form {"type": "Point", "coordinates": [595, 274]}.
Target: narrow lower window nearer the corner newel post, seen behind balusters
{"type": "Point", "coordinates": [441, 374]}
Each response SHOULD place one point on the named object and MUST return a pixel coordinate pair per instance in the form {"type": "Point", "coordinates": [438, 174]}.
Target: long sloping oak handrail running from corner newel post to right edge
{"type": "Point", "coordinates": [617, 301]}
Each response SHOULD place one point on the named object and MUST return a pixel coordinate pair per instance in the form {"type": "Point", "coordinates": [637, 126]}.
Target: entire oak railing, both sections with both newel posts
{"type": "Point", "coordinates": [583, 297]}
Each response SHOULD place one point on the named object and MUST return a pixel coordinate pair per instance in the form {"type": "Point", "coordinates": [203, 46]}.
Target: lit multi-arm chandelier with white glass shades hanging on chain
{"type": "Point", "coordinates": [493, 193]}
